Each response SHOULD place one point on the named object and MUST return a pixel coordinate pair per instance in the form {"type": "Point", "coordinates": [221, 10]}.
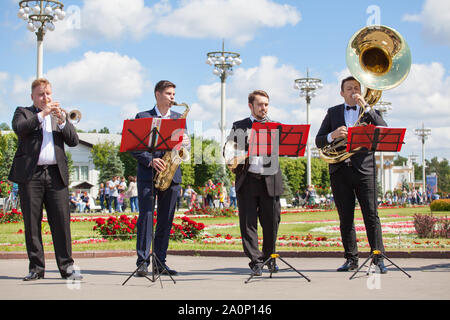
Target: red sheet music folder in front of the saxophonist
{"type": "Point", "coordinates": [137, 134]}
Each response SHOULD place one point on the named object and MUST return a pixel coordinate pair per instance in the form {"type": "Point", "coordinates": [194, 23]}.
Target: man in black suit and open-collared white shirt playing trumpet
{"type": "Point", "coordinates": [40, 169]}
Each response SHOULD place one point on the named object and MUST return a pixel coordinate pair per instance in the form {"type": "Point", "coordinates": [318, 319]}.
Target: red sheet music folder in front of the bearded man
{"type": "Point", "coordinates": [291, 142]}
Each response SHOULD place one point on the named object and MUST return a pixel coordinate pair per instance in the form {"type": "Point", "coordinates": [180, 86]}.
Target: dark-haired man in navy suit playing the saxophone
{"type": "Point", "coordinates": [148, 165]}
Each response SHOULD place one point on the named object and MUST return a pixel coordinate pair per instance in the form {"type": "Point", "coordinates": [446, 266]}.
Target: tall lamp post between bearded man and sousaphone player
{"type": "Point", "coordinates": [308, 87]}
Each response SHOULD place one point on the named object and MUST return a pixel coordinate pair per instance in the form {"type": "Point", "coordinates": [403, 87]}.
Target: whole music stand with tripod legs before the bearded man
{"type": "Point", "coordinates": [276, 139]}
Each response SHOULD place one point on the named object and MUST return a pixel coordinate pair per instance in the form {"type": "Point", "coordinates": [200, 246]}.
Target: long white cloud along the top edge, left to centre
{"type": "Point", "coordinates": [116, 19]}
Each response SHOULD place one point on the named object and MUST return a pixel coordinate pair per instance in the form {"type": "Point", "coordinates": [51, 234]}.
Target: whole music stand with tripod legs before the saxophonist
{"type": "Point", "coordinates": [152, 135]}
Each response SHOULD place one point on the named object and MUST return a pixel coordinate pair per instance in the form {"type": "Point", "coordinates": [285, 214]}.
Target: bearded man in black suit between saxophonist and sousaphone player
{"type": "Point", "coordinates": [258, 188]}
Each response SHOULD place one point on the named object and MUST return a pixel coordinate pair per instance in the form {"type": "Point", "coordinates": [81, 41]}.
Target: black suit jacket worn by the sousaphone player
{"type": "Point", "coordinates": [363, 161]}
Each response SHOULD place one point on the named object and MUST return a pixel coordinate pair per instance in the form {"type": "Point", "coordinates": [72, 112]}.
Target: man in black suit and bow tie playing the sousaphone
{"type": "Point", "coordinates": [355, 176]}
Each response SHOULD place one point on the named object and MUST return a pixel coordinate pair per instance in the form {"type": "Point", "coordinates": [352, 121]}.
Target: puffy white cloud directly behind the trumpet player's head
{"type": "Point", "coordinates": [105, 78]}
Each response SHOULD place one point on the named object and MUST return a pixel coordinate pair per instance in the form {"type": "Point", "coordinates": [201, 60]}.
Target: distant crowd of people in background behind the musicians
{"type": "Point", "coordinates": [112, 194]}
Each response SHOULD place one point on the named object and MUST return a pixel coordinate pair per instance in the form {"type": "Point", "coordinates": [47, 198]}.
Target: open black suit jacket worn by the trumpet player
{"type": "Point", "coordinates": [26, 125]}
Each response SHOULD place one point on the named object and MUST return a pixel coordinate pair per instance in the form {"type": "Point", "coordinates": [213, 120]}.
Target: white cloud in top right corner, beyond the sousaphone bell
{"type": "Point", "coordinates": [435, 17]}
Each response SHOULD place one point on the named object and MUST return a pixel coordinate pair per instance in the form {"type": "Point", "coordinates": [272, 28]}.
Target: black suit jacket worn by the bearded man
{"type": "Point", "coordinates": [274, 182]}
